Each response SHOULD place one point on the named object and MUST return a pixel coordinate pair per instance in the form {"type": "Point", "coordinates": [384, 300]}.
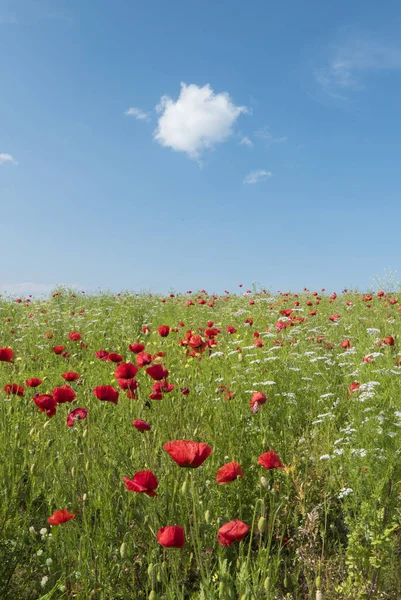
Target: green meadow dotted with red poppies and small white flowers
{"type": "Point", "coordinates": [242, 446]}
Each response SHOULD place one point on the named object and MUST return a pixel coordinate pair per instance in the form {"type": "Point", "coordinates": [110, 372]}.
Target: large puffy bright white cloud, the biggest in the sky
{"type": "Point", "coordinates": [199, 119]}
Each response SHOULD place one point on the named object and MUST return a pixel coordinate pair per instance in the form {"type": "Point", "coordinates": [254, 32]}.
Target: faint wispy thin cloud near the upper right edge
{"type": "Point", "coordinates": [352, 60]}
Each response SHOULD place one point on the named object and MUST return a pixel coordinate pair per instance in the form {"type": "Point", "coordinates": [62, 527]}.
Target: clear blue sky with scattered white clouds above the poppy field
{"type": "Point", "coordinates": [180, 145]}
